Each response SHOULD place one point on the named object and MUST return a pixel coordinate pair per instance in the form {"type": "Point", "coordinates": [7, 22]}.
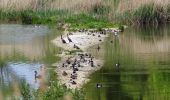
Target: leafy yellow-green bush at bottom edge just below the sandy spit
{"type": "Point", "coordinates": [57, 91]}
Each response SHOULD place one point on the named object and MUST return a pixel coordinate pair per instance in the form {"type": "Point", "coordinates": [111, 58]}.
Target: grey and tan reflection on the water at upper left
{"type": "Point", "coordinates": [23, 39]}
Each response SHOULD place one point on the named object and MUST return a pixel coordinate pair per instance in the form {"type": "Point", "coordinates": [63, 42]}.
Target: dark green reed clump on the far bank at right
{"type": "Point", "coordinates": [147, 14]}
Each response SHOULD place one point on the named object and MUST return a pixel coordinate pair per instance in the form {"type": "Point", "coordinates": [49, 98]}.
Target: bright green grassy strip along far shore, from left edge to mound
{"type": "Point", "coordinates": [82, 20]}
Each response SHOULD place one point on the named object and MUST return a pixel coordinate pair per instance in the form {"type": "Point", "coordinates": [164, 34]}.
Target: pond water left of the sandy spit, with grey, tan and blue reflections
{"type": "Point", "coordinates": [23, 50]}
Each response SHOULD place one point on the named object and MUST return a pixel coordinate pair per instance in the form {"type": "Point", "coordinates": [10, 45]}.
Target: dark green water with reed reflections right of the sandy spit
{"type": "Point", "coordinates": [144, 57]}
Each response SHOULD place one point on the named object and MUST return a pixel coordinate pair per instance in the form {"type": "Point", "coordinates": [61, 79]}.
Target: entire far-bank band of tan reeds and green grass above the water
{"type": "Point", "coordinates": [100, 13]}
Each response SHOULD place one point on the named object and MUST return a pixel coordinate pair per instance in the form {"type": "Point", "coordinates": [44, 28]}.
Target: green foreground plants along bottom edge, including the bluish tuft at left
{"type": "Point", "coordinates": [55, 91]}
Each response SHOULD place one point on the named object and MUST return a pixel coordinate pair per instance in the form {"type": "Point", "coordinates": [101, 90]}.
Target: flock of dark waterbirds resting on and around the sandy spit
{"type": "Point", "coordinates": [76, 63]}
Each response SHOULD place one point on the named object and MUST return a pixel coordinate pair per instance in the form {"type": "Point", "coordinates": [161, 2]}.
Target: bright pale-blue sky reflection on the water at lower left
{"type": "Point", "coordinates": [25, 71]}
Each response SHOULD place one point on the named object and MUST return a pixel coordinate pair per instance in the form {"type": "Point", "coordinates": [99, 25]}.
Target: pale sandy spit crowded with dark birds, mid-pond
{"type": "Point", "coordinates": [83, 40]}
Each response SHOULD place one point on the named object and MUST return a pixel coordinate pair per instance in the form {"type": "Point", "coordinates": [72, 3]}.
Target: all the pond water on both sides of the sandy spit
{"type": "Point", "coordinates": [143, 54]}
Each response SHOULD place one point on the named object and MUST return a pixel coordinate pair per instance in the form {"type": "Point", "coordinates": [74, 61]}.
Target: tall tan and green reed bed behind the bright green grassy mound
{"type": "Point", "coordinates": [117, 11]}
